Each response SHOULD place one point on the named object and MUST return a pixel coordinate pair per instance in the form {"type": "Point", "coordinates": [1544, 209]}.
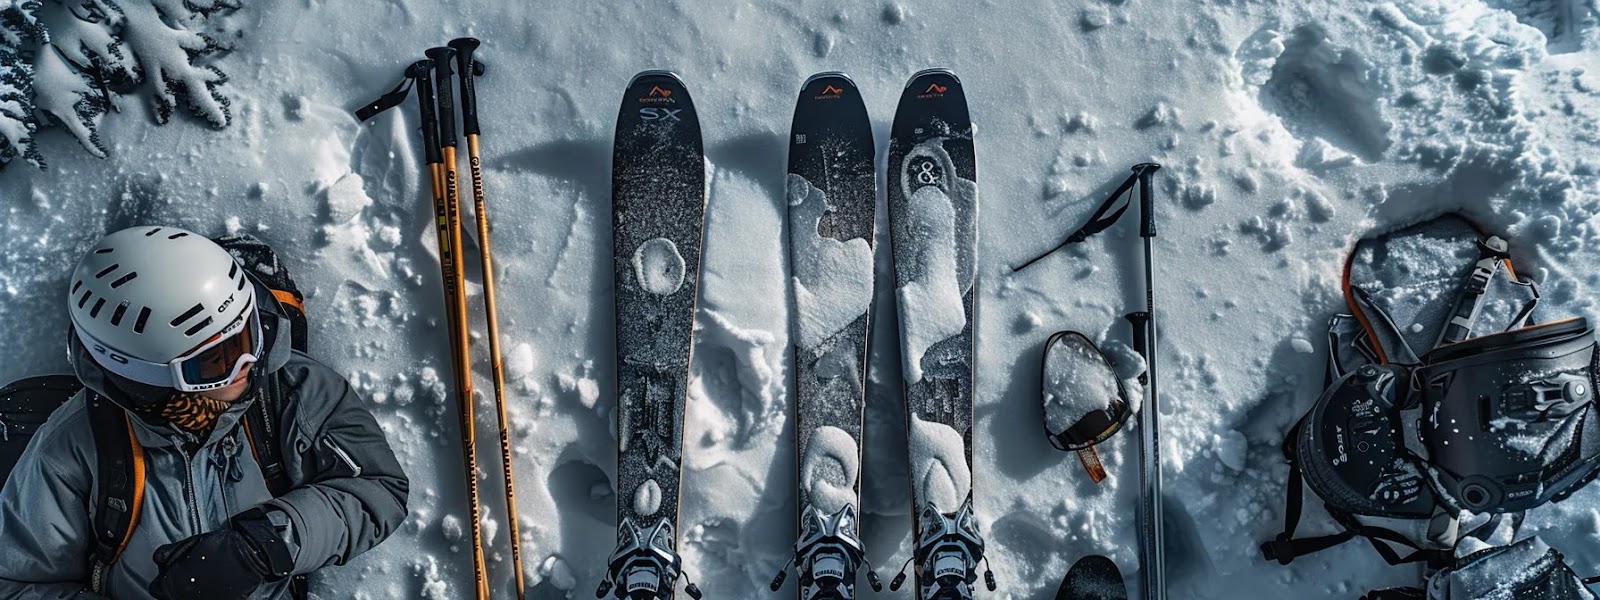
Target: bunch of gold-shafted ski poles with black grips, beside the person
{"type": "Point", "coordinates": [439, 146]}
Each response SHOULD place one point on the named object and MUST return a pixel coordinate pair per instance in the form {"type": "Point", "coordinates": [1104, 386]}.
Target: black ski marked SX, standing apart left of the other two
{"type": "Point", "coordinates": [658, 215]}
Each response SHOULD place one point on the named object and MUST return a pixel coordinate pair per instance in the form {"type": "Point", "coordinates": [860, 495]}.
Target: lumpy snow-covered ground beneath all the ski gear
{"type": "Point", "coordinates": [1287, 130]}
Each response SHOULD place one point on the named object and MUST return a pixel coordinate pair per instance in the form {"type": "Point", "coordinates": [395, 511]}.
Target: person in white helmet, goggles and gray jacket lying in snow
{"type": "Point", "coordinates": [194, 356]}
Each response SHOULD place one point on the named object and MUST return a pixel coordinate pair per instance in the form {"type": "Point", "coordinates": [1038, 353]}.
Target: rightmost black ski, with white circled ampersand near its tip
{"type": "Point", "coordinates": [934, 226]}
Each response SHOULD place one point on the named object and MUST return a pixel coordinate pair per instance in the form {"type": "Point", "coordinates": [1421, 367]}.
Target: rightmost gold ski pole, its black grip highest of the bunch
{"type": "Point", "coordinates": [470, 126]}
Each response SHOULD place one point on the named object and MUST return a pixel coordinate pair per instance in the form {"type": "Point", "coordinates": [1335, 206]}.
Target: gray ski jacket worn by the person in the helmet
{"type": "Point", "coordinates": [348, 489]}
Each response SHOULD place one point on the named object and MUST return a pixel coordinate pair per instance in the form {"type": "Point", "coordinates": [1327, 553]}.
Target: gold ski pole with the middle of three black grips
{"type": "Point", "coordinates": [447, 210]}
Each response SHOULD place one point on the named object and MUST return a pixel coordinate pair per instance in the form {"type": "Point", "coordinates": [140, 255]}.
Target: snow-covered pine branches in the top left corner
{"type": "Point", "coordinates": [66, 63]}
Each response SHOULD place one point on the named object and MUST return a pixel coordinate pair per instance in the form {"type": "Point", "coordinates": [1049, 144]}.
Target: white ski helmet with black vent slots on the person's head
{"type": "Point", "coordinates": [154, 294]}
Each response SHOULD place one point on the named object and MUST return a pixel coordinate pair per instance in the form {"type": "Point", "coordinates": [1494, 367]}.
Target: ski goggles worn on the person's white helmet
{"type": "Point", "coordinates": [212, 366]}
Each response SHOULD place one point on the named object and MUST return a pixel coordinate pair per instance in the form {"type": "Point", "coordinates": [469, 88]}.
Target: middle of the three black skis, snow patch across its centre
{"type": "Point", "coordinates": [833, 194]}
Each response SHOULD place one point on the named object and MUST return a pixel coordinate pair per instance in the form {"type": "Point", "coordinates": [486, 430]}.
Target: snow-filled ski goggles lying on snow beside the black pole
{"type": "Point", "coordinates": [1084, 399]}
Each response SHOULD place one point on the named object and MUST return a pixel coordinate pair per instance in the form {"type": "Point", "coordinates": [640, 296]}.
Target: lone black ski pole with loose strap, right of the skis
{"type": "Point", "coordinates": [1145, 342]}
